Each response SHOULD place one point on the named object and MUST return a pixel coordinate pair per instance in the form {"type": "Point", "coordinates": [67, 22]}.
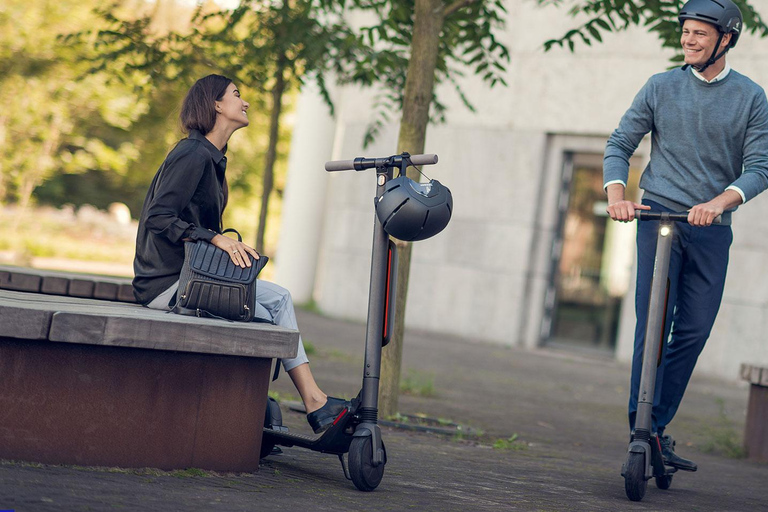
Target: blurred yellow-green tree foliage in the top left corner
{"type": "Point", "coordinates": [51, 121]}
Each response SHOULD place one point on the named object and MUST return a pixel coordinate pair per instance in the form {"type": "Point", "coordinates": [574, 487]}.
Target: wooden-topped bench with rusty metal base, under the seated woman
{"type": "Point", "coordinates": [98, 382]}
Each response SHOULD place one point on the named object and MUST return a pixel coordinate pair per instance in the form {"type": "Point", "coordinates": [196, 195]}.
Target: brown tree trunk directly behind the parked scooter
{"type": "Point", "coordinates": [419, 84]}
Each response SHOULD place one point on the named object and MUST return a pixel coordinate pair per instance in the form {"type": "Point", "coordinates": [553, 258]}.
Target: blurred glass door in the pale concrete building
{"type": "Point", "coordinates": [591, 261]}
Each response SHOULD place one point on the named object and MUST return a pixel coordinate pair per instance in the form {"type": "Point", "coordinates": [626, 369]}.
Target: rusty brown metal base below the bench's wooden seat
{"type": "Point", "coordinates": [63, 403]}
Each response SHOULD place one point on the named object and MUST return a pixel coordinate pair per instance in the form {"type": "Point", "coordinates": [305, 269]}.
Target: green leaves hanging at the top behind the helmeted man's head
{"type": "Point", "coordinates": [660, 17]}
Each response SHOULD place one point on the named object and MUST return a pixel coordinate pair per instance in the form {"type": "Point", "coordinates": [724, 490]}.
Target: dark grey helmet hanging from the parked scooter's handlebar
{"type": "Point", "coordinates": [413, 211]}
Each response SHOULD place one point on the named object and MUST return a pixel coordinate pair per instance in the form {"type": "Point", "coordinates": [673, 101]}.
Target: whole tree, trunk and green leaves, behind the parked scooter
{"type": "Point", "coordinates": [420, 43]}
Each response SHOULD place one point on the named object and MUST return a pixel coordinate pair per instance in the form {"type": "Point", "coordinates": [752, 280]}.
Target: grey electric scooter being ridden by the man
{"type": "Point", "coordinates": [644, 460]}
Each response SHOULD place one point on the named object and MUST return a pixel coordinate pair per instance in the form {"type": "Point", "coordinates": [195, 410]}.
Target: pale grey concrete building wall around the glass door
{"type": "Point", "coordinates": [485, 277]}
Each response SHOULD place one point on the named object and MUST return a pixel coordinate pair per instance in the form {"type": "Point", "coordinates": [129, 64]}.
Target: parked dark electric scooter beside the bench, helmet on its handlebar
{"type": "Point", "coordinates": [355, 430]}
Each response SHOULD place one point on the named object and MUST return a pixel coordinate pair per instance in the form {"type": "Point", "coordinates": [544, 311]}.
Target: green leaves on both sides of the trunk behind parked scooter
{"type": "Point", "coordinates": [467, 41]}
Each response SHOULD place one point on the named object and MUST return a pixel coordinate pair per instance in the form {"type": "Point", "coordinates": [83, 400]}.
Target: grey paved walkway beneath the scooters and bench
{"type": "Point", "coordinates": [567, 413]}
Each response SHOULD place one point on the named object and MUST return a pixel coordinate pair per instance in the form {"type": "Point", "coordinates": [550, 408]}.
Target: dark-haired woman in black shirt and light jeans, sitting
{"type": "Point", "coordinates": [185, 202]}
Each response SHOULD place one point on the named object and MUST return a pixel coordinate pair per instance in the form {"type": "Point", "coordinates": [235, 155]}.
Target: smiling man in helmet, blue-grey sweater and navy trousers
{"type": "Point", "coordinates": [709, 136]}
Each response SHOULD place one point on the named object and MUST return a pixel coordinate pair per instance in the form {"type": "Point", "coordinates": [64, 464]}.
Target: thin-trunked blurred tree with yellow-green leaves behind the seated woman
{"type": "Point", "coordinates": [268, 46]}
